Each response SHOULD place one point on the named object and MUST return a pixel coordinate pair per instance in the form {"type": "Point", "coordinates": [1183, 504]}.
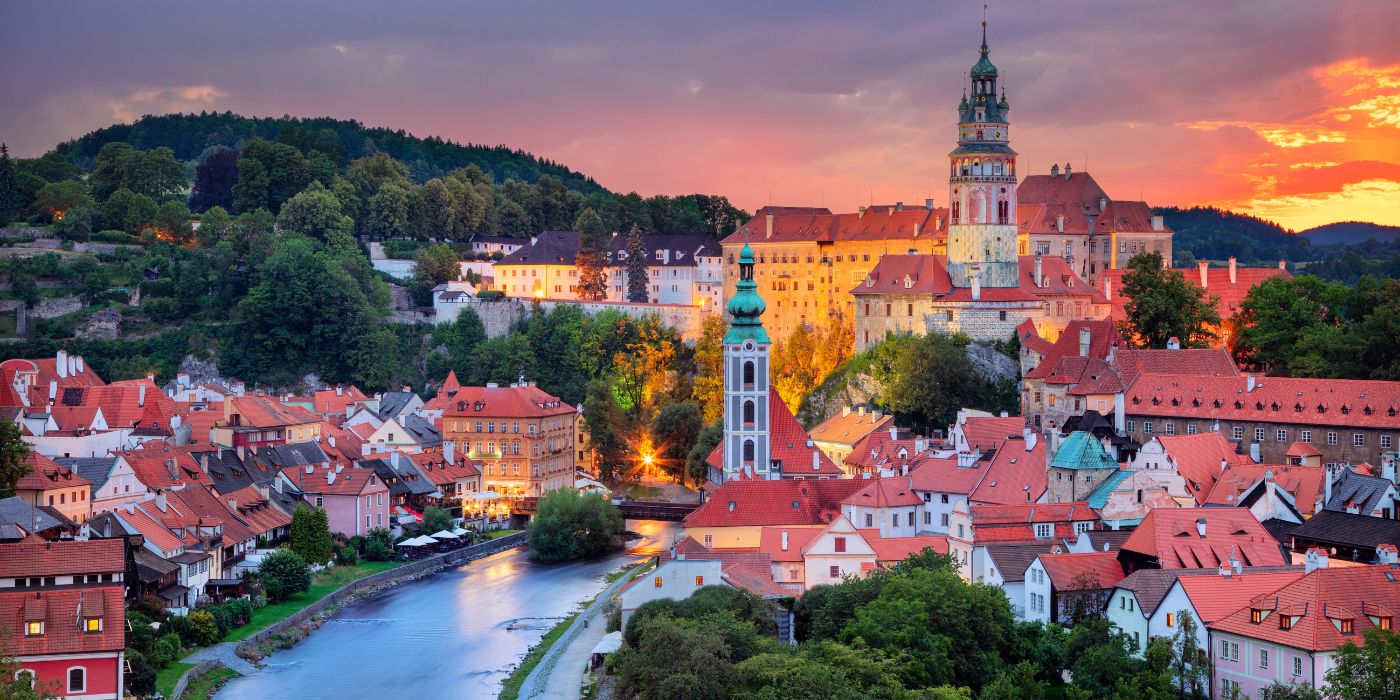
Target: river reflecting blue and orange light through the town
{"type": "Point", "coordinates": [454, 635]}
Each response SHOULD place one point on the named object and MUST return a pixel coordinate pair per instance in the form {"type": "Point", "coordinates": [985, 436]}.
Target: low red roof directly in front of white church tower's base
{"type": "Point", "coordinates": [787, 502]}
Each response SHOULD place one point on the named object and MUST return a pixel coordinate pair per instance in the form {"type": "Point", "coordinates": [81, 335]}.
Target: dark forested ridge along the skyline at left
{"type": "Point", "coordinates": [191, 135]}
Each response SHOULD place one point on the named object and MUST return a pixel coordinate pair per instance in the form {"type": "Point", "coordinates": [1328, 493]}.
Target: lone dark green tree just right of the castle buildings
{"type": "Point", "coordinates": [1161, 306]}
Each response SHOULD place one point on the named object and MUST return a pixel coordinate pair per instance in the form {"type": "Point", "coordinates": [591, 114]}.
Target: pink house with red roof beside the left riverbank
{"type": "Point", "coordinates": [355, 499]}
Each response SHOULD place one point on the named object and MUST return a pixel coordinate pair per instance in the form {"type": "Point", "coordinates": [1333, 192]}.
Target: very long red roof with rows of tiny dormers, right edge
{"type": "Point", "coordinates": [1366, 404]}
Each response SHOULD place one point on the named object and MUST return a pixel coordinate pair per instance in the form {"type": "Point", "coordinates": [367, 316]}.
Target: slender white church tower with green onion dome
{"type": "Point", "coordinates": [747, 446]}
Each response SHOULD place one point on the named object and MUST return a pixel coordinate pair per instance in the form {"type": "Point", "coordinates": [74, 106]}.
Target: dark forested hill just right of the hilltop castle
{"type": "Point", "coordinates": [1216, 234]}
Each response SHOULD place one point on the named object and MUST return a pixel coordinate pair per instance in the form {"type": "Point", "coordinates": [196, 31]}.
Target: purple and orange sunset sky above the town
{"type": "Point", "coordinates": [1287, 110]}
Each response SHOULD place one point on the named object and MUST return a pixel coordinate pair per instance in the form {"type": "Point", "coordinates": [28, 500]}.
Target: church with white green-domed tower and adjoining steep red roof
{"type": "Point", "coordinates": [762, 440]}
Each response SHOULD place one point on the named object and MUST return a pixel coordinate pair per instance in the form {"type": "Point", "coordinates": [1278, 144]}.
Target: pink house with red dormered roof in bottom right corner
{"type": "Point", "coordinates": [1291, 635]}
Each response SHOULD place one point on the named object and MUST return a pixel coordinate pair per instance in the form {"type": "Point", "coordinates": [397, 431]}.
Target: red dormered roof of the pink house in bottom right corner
{"type": "Point", "coordinates": [1315, 600]}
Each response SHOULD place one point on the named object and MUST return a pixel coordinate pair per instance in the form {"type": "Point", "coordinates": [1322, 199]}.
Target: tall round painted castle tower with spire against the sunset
{"type": "Point", "coordinates": [982, 185]}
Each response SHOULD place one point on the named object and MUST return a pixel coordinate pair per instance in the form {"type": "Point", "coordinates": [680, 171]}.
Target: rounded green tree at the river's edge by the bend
{"type": "Point", "coordinates": [573, 526]}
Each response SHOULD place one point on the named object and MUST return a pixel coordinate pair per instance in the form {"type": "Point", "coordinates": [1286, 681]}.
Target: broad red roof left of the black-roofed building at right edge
{"type": "Point", "coordinates": [1172, 537]}
